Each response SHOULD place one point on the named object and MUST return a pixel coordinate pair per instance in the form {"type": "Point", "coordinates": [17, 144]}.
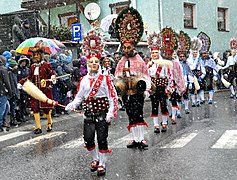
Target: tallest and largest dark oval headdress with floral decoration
{"type": "Point", "coordinates": [129, 26]}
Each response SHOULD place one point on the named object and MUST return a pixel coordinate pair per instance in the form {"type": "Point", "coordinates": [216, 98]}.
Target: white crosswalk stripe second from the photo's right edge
{"type": "Point", "coordinates": [181, 142]}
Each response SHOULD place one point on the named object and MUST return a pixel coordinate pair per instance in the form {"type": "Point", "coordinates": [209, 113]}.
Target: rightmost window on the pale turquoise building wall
{"type": "Point", "coordinates": [221, 19]}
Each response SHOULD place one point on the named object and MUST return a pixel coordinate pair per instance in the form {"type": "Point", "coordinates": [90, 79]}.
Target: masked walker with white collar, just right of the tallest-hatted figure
{"type": "Point", "coordinates": [161, 77]}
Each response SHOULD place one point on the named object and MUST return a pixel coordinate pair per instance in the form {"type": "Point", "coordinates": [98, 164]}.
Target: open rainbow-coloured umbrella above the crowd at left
{"type": "Point", "coordinates": [49, 45]}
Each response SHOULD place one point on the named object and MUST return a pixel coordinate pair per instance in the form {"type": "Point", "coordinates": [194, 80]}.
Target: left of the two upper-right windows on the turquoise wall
{"type": "Point", "coordinates": [189, 15]}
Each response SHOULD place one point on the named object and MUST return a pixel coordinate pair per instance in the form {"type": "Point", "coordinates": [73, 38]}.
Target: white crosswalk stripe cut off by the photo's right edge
{"type": "Point", "coordinates": [227, 141]}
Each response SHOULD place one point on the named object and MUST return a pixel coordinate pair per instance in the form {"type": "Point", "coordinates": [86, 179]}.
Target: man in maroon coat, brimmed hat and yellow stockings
{"type": "Point", "coordinates": [40, 70]}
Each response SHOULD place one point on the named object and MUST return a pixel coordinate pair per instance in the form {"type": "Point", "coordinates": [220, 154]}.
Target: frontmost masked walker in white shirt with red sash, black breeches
{"type": "Point", "coordinates": [99, 99]}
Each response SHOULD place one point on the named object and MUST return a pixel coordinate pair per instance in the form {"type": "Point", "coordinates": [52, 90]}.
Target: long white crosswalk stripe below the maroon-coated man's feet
{"type": "Point", "coordinates": [38, 139]}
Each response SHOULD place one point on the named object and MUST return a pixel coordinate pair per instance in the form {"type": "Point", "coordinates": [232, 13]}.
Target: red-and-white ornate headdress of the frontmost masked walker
{"type": "Point", "coordinates": [93, 45]}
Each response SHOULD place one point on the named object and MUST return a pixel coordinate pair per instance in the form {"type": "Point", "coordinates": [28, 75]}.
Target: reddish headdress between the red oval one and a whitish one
{"type": "Point", "coordinates": [184, 43]}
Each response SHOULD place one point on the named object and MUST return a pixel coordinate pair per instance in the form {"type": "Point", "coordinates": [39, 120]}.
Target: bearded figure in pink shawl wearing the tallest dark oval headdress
{"type": "Point", "coordinates": [131, 75]}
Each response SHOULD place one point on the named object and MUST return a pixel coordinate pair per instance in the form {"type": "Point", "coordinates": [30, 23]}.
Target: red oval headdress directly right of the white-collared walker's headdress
{"type": "Point", "coordinates": [169, 42]}
